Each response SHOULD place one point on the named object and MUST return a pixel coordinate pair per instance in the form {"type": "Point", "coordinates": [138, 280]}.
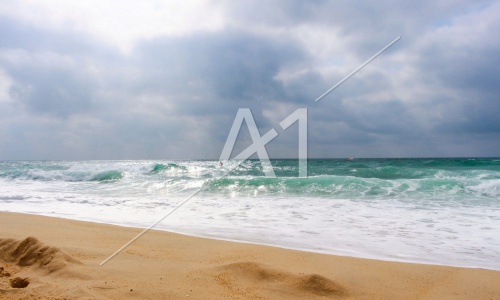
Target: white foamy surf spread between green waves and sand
{"type": "Point", "coordinates": [452, 231]}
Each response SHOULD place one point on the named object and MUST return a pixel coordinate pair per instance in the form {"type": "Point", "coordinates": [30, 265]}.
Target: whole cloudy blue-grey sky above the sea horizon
{"type": "Point", "coordinates": [165, 79]}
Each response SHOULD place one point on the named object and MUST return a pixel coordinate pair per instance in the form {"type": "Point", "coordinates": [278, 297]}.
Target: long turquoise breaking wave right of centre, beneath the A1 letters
{"type": "Point", "coordinates": [350, 187]}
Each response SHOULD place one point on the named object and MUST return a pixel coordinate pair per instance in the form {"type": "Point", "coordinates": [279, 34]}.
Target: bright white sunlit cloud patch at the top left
{"type": "Point", "coordinates": [120, 23]}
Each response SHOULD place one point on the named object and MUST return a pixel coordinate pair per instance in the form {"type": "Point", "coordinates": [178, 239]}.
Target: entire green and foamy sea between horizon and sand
{"type": "Point", "coordinates": [443, 211]}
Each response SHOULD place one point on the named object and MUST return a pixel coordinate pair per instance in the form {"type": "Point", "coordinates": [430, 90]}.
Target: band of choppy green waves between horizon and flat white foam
{"type": "Point", "coordinates": [358, 179]}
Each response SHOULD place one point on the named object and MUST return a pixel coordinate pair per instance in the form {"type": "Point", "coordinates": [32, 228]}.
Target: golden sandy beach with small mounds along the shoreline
{"type": "Point", "coordinates": [60, 259]}
